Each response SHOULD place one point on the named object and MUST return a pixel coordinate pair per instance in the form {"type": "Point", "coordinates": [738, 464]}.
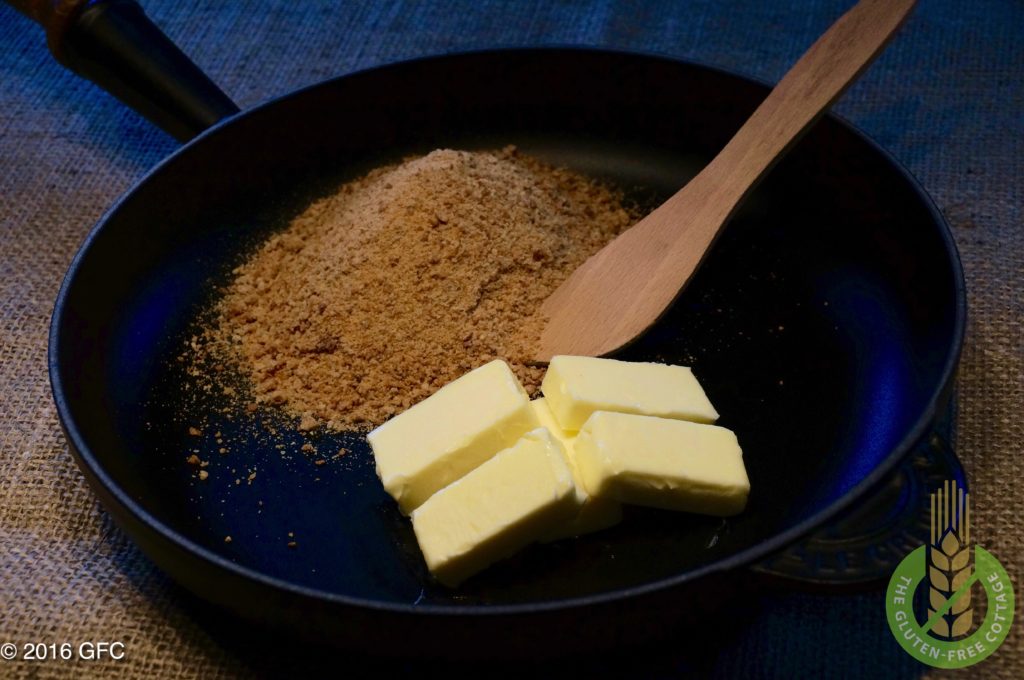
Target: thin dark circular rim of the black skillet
{"type": "Point", "coordinates": [93, 469]}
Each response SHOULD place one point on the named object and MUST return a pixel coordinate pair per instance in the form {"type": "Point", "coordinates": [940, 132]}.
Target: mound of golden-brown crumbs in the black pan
{"type": "Point", "coordinates": [460, 248]}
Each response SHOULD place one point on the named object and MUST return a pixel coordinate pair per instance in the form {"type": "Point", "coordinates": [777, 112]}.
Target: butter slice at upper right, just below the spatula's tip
{"type": "Point", "coordinates": [577, 387]}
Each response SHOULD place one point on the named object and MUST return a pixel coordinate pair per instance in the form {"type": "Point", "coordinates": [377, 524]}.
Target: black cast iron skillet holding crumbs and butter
{"type": "Point", "coordinates": [826, 325]}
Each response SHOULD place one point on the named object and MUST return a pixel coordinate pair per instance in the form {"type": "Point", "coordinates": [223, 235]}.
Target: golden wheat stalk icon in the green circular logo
{"type": "Point", "coordinates": [950, 562]}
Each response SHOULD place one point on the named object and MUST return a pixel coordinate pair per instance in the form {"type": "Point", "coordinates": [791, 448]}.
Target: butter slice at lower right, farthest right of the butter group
{"type": "Point", "coordinates": [671, 464]}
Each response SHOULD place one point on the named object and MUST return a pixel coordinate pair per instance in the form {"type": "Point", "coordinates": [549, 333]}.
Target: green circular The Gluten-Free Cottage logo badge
{"type": "Point", "coordinates": [946, 640]}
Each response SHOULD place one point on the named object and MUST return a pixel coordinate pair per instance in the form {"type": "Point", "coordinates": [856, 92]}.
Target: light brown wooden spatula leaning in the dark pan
{"type": "Point", "coordinates": [621, 291]}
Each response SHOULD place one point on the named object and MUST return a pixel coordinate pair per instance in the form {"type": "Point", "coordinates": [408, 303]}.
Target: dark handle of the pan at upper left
{"type": "Point", "coordinates": [114, 45]}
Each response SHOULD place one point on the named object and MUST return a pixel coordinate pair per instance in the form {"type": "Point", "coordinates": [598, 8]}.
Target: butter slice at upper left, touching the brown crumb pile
{"type": "Point", "coordinates": [450, 434]}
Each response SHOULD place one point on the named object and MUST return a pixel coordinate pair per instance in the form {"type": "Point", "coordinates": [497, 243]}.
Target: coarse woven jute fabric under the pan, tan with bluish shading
{"type": "Point", "coordinates": [947, 99]}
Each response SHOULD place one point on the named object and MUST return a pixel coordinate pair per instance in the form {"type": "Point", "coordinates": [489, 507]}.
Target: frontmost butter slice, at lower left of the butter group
{"type": "Point", "coordinates": [496, 511]}
